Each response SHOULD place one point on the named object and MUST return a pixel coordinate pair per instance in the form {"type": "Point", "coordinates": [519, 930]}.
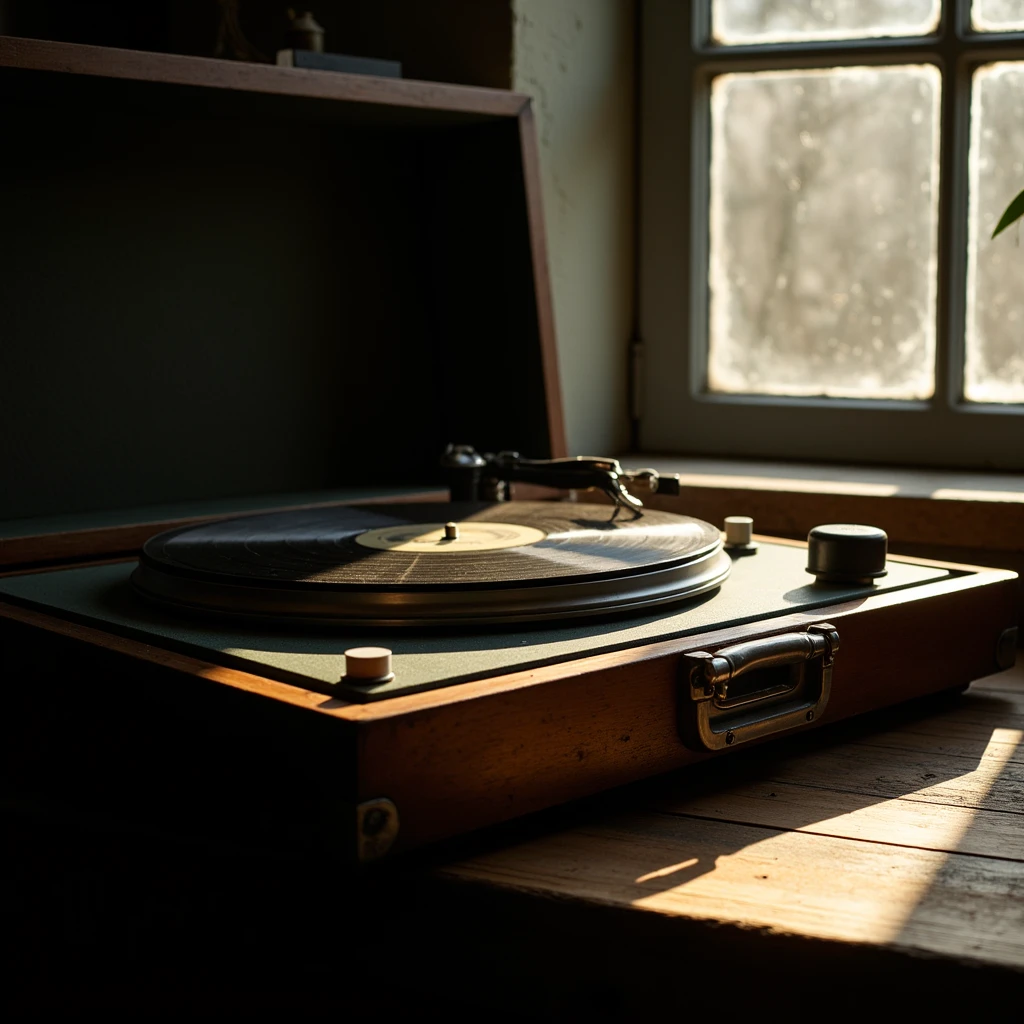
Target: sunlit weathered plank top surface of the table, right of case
{"type": "Point", "coordinates": [914, 864]}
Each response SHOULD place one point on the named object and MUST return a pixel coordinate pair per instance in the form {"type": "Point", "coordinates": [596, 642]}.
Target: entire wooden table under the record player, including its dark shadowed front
{"type": "Point", "coordinates": [873, 864]}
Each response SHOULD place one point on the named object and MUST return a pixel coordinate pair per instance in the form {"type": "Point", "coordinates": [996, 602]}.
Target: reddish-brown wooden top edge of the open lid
{"type": "Point", "coordinates": [74, 59]}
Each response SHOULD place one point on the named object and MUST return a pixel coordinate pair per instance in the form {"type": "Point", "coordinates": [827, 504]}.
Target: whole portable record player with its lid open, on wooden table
{"type": "Point", "coordinates": [354, 667]}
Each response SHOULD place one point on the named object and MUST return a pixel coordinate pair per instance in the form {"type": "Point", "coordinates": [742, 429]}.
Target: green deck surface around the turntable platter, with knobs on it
{"type": "Point", "coordinates": [771, 583]}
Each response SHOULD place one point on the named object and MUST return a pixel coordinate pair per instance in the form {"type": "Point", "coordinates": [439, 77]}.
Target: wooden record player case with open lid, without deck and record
{"type": "Point", "coordinates": [225, 281]}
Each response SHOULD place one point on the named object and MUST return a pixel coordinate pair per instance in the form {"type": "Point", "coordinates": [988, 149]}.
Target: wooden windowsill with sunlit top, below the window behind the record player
{"type": "Point", "coordinates": [919, 508]}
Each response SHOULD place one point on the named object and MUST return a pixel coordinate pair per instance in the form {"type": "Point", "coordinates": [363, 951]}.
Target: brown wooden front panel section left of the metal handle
{"type": "Point", "coordinates": [459, 767]}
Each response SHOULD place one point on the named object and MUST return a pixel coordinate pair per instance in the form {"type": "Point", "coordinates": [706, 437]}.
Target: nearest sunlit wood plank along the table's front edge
{"type": "Point", "coordinates": [784, 882]}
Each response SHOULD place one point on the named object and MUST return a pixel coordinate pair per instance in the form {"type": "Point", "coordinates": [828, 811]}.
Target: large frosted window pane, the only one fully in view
{"type": "Point", "coordinates": [823, 271]}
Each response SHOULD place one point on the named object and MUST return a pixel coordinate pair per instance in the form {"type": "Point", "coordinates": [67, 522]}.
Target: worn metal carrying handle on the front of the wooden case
{"type": "Point", "coordinates": [711, 717]}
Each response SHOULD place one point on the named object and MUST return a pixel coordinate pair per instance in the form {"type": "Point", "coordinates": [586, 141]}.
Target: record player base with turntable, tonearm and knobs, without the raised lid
{"type": "Point", "coordinates": [362, 679]}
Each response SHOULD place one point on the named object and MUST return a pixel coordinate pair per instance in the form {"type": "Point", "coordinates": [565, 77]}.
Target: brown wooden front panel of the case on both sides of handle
{"type": "Point", "coordinates": [463, 765]}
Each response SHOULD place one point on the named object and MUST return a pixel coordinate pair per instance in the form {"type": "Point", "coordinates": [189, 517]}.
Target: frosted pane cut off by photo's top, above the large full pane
{"type": "Point", "coordinates": [741, 22]}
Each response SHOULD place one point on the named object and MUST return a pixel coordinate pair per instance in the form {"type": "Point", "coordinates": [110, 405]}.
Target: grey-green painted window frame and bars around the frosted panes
{"type": "Point", "coordinates": [676, 412]}
